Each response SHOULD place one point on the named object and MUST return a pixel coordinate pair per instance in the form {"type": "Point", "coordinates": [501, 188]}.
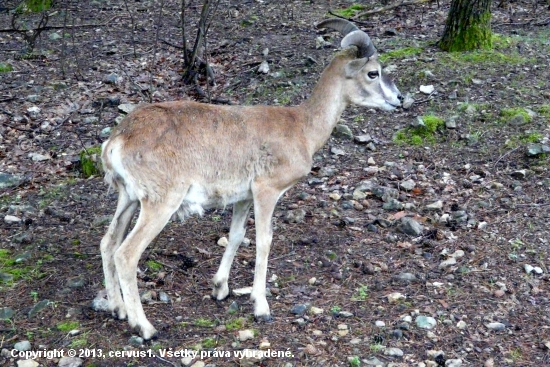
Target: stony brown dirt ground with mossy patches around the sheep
{"type": "Point", "coordinates": [349, 285]}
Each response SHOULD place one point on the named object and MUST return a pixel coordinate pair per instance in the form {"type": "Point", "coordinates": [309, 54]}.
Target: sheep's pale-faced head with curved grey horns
{"type": "Point", "coordinates": [367, 84]}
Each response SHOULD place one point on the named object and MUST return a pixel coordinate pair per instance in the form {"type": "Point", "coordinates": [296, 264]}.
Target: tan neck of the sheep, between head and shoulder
{"type": "Point", "coordinates": [324, 107]}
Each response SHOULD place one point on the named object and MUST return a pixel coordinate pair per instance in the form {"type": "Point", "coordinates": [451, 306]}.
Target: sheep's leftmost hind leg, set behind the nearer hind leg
{"type": "Point", "coordinates": [109, 244]}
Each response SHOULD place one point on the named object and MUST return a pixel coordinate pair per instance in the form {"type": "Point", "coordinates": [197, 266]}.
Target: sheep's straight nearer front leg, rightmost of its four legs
{"type": "Point", "coordinates": [265, 199]}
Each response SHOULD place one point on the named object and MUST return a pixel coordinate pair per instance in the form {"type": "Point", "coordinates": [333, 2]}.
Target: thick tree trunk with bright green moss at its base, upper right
{"type": "Point", "coordinates": [468, 26]}
